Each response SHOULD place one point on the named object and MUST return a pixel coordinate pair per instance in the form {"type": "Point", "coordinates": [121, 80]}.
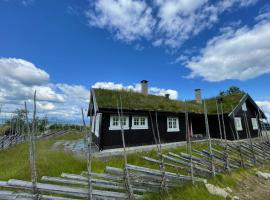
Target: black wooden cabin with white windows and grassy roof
{"type": "Point", "coordinates": [145, 115]}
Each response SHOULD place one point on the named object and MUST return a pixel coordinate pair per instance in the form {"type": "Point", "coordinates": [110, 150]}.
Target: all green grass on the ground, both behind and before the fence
{"type": "Point", "coordinates": [14, 164]}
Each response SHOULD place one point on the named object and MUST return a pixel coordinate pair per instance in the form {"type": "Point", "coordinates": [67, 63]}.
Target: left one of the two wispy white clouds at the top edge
{"type": "Point", "coordinates": [127, 19]}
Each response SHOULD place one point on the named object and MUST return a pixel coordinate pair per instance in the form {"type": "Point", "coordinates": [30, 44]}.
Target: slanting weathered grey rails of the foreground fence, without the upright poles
{"type": "Point", "coordinates": [111, 183]}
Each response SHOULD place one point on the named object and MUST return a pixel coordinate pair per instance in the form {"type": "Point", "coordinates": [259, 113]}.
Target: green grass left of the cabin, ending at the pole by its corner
{"type": "Point", "coordinates": [14, 162]}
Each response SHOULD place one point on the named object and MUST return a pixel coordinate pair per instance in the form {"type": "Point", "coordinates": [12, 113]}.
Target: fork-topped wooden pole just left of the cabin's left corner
{"type": "Point", "coordinates": [89, 159]}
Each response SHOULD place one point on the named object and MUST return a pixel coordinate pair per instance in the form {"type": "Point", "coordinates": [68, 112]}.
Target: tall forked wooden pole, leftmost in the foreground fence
{"type": "Point", "coordinates": [32, 149]}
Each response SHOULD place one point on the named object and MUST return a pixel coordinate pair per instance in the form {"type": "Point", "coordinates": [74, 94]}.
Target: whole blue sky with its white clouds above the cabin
{"type": "Point", "coordinates": [177, 45]}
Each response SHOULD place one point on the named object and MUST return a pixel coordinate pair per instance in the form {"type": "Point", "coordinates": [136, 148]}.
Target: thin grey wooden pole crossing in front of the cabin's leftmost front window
{"type": "Point", "coordinates": [126, 173]}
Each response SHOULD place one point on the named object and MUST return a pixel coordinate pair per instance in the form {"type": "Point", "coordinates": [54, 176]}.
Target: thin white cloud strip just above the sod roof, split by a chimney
{"type": "Point", "coordinates": [136, 88]}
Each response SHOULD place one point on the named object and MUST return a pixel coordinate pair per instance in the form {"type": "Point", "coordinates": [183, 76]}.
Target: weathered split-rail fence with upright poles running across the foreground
{"type": "Point", "coordinates": [131, 181]}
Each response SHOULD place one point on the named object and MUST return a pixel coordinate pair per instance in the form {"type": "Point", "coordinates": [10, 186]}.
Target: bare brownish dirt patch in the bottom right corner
{"type": "Point", "coordinates": [253, 188]}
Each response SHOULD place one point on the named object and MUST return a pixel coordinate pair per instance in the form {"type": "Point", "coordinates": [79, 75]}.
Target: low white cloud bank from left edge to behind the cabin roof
{"type": "Point", "coordinates": [58, 101]}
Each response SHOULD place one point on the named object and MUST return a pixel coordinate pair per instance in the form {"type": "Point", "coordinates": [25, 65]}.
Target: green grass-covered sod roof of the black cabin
{"type": "Point", "coordinates": [137, 101]}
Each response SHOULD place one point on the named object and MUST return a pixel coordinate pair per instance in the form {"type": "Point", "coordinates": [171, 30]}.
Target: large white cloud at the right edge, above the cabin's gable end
{"type": "Point", "coordinates": [237, 54]}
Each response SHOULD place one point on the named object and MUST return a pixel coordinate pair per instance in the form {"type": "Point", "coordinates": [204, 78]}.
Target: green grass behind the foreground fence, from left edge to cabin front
{"type": "Point", "coordinates": [14, 162]}
